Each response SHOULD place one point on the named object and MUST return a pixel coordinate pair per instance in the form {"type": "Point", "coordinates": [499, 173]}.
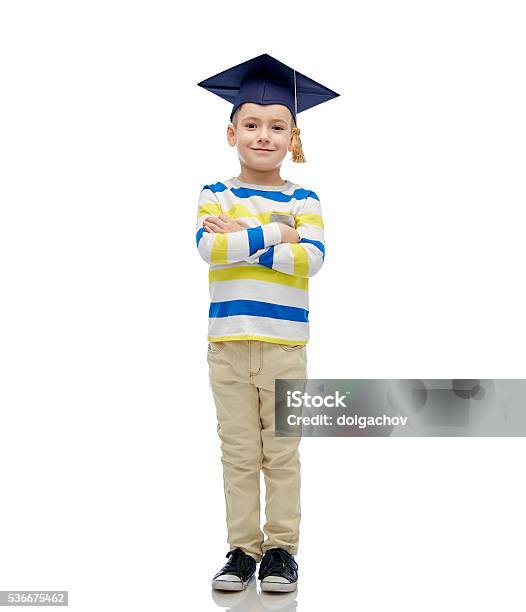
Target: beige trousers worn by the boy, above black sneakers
{"type": "Point", "coordinates": [242, 374]}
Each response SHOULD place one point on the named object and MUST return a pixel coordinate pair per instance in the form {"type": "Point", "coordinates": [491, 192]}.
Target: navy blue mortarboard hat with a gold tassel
{"type": "Point", "coordinates": [264, 80]}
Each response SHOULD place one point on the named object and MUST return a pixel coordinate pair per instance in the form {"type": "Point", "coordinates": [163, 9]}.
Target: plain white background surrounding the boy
{"type": "Point", "coordinates": [111, 483]}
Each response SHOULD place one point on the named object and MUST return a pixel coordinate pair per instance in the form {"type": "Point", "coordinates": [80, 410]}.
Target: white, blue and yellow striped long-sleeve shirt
{"type": "Point", "coordinates": [259, 286]}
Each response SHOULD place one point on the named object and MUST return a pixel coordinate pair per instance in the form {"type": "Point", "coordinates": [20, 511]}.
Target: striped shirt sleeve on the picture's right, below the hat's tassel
{"type": "Point", "coordinates": [305, 258]}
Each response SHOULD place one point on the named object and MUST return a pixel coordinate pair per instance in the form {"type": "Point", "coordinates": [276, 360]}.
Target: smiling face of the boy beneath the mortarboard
{"type": "Point", "coordinates": [262, 134]}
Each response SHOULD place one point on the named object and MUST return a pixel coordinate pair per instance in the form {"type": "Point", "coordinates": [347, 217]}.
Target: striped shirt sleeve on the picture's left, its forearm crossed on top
{"type": "Point", "coordinates": [217, 248]}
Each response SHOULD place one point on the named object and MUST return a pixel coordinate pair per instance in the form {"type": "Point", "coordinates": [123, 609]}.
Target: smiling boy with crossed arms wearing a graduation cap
{"type": "Point", "coordinates": [263, 238]}
